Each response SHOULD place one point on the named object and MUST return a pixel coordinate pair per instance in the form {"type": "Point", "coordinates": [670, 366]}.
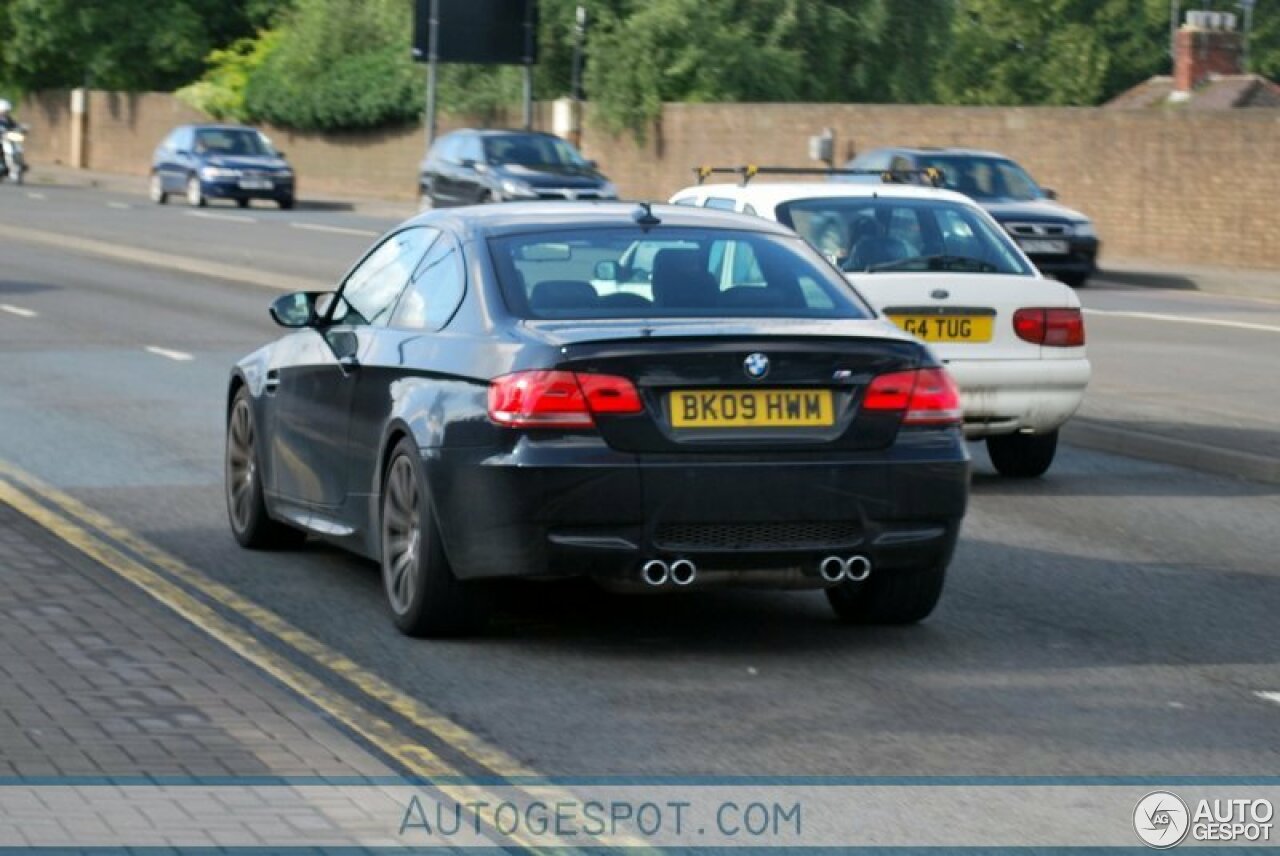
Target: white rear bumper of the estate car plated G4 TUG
{"type": "Point", "coordinates": [1008, 396]}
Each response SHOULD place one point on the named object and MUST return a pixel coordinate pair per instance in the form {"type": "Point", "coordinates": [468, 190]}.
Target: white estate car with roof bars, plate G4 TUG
{"type": "Point", "coordinates": [938, 266]}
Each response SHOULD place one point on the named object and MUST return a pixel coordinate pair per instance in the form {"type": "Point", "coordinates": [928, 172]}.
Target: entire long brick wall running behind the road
{"type": "Point", "coordinates": [1162, 185]}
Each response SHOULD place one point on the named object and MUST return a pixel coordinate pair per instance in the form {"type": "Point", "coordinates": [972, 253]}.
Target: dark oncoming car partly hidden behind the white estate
{"type": "Point", "coordinates": [1062, 242]}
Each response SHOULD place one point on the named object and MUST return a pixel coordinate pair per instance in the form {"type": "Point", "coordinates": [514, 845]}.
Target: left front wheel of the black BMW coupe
{"type": "Point", "coordinates": [246, 507]}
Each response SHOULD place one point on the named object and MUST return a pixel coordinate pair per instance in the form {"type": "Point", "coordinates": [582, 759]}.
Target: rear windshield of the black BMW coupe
{"type": "Point", "coordinates": [665, 272]}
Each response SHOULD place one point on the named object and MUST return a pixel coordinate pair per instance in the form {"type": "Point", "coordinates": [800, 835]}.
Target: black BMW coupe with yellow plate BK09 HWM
{"type": "Point", "coordinates": [487, 397]}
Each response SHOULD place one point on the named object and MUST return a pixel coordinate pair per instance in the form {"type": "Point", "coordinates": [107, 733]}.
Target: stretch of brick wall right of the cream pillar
{"type": "Point", "coordinates": [1162, 185]}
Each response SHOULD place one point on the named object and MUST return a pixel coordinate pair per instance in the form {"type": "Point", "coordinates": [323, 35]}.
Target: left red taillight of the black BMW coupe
{"type": "Point", "coordinates": [563, 400]}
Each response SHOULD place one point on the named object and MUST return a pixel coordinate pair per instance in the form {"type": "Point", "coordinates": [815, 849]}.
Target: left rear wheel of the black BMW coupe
{"type": "Point", "coordinates": [423, 594]}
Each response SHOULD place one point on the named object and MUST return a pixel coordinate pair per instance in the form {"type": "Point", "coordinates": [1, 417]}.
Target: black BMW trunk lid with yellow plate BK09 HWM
{"type": "Point", "coordinates": [701, 396]}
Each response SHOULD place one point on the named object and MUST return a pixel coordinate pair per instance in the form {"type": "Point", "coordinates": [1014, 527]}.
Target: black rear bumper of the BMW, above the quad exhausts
{"type": "Point", "coordinates": [577, 509]}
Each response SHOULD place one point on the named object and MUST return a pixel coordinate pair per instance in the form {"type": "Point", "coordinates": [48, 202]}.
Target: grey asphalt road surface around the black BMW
{"type": "Point", "coordinates": [1118, 617]}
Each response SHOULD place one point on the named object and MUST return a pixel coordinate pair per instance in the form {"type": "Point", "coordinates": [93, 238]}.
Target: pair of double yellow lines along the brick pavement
{"type": "Point", "coordinates": [83, 519]}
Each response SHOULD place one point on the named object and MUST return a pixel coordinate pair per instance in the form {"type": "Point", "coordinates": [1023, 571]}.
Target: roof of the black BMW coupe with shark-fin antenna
{"type": "Point", "coordinates": [515, 218]}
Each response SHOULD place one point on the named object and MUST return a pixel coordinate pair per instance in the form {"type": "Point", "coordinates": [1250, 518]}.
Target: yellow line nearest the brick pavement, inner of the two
{"type": "Point", "coordinates": [415, 758]}
